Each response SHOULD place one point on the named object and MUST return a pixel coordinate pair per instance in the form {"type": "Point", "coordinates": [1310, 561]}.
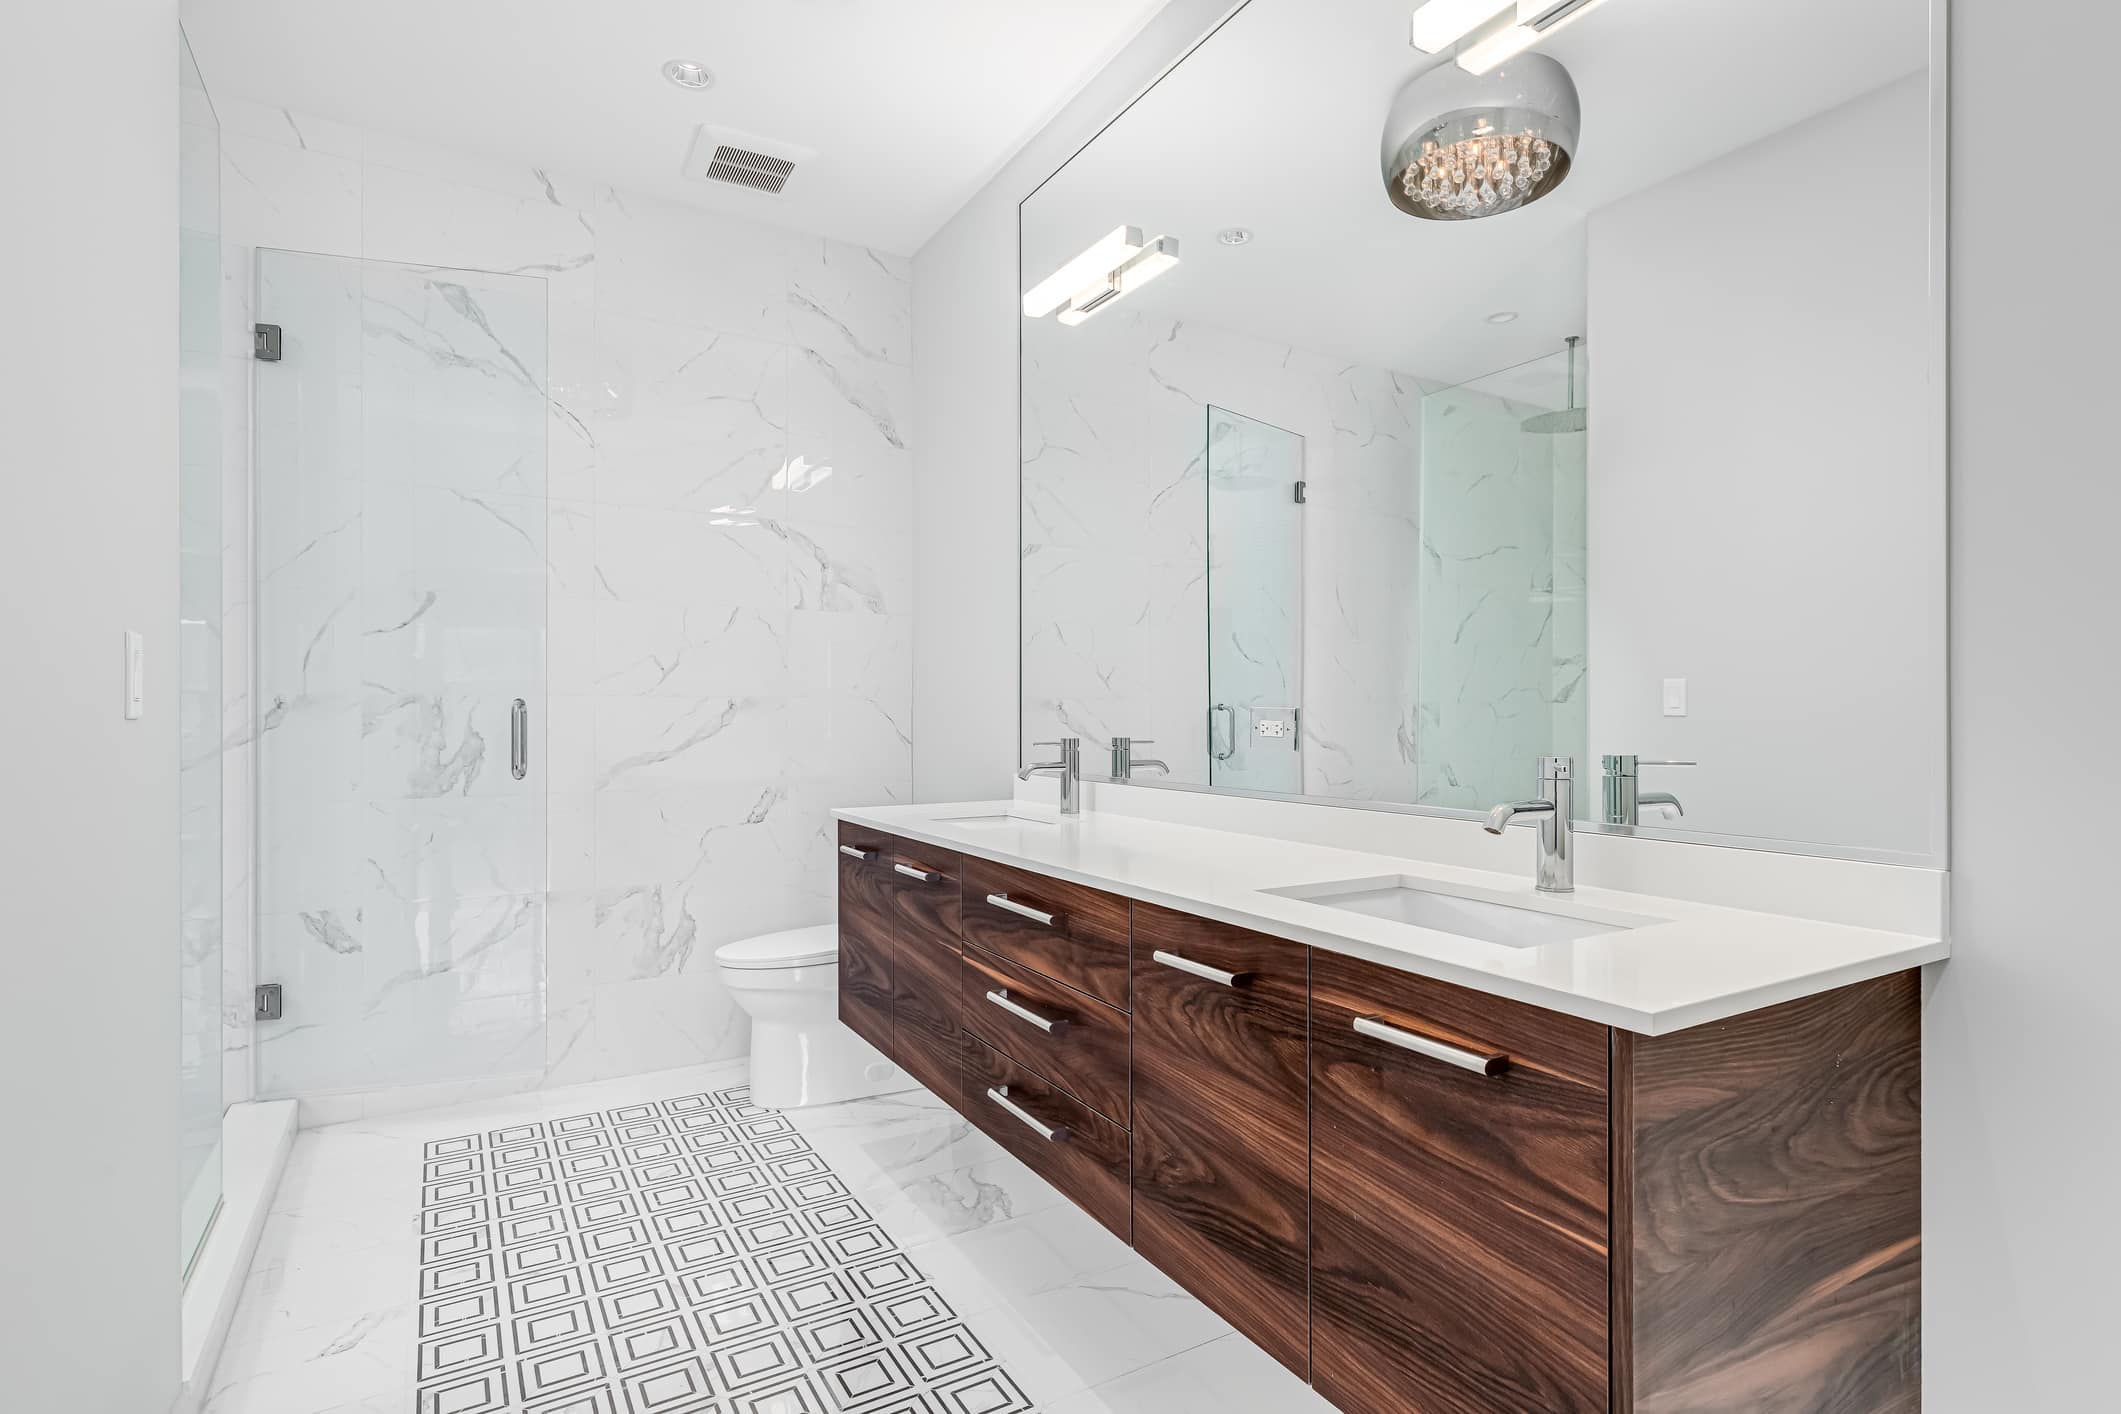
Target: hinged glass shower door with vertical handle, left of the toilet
{"type": "Point", "coordinates": [400, 673]}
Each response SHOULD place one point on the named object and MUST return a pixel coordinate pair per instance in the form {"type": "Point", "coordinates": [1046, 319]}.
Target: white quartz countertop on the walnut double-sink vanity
{"type": "Point", "coordinates": [1683, 966]}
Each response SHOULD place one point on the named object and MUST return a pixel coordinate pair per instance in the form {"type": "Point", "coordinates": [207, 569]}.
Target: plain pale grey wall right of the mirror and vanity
{"type": "Point", "coordinates": [2022, 1131]}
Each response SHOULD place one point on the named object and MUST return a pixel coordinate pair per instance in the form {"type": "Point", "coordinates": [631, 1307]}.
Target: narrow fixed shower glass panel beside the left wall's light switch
{"type": "Point", "coordinates": [198, 654]}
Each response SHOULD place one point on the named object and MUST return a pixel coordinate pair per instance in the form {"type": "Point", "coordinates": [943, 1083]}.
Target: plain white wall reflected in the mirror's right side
{"type": "Point", "coordinates": [1766, 506]}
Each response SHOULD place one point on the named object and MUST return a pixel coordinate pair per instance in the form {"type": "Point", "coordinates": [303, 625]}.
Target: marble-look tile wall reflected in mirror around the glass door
{"type": "Point", "coordinates": [1115, 542]}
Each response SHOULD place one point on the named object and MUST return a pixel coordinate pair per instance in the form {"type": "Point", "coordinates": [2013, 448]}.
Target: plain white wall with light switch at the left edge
{"type": "Point", "coordinates": [88, 834]}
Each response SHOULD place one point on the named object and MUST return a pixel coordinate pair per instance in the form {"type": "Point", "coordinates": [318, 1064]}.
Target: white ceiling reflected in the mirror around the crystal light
{"type": "Point", "coordinates": [1276, 126]}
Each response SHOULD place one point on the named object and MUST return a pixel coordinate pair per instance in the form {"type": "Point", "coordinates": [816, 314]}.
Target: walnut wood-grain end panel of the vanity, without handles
{"type": "Point", "coordinates": [1776, 1231]}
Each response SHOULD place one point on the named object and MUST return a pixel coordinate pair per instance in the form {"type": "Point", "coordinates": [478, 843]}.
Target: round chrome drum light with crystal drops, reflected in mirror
{"type": "Point", "coordinates": [1460, 147]}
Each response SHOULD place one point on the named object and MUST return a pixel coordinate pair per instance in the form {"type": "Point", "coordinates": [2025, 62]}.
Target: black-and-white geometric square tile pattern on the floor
{"type": "Point", "coordinates": [686, 1256]}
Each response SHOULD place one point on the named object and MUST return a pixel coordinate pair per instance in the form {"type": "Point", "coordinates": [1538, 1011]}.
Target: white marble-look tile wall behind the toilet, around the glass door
{"type": "Point", "coordinates": [726, 544]}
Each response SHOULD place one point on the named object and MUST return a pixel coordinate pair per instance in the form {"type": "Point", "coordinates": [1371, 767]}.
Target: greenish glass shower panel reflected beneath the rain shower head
{"type": "Point", "coordinates": [1503, 586]}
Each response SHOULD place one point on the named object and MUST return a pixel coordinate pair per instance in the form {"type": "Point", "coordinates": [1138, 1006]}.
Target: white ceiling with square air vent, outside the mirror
{"type": "Point", "coordinates": [911, 105]}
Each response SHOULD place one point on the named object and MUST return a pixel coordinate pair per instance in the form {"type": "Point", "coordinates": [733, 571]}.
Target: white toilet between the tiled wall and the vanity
{"type": "Point", "coordinates": [801, 1053]}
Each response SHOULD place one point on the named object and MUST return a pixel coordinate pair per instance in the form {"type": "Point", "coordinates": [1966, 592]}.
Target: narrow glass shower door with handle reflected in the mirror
{"type": "Point", "coordinates": [1255, 603]}
